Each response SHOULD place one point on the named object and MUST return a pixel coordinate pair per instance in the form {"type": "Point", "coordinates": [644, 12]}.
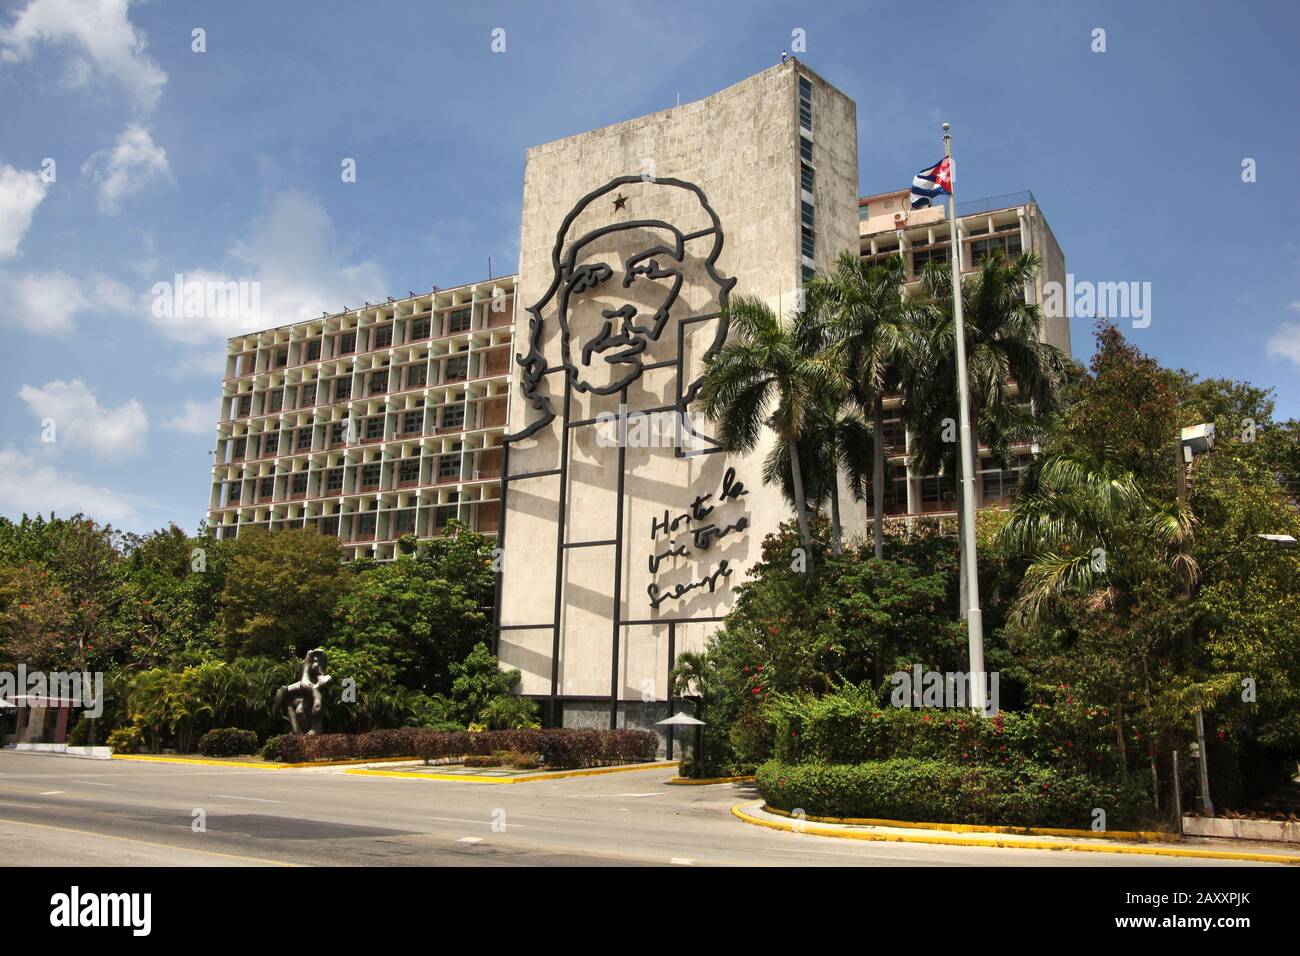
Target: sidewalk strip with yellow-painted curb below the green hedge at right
{"type": "Point", "coordinates": [1189, 847]}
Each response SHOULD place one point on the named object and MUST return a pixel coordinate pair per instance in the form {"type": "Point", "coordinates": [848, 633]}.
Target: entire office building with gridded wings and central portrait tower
{"type": "Point", "coordinates": [558, 409]}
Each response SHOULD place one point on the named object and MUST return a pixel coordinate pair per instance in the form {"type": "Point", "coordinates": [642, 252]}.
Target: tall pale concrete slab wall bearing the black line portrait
{"type": "Point", "coordinates": [742, 149]}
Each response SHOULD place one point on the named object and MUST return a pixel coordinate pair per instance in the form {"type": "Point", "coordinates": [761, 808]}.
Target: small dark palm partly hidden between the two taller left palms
{"type": "Point", "coordinates": [837, 440]}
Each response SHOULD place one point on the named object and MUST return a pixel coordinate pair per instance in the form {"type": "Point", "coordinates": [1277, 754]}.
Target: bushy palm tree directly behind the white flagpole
{"type": "Point", "coordinates": [1008, 367]}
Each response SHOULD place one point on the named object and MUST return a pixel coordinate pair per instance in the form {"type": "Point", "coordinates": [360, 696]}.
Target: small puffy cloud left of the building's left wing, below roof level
{"type": "Point", "coordinates": [83, 422]}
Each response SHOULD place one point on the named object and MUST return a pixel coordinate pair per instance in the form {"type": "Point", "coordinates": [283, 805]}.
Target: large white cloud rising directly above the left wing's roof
{"type": "Point", "coordinates": [296, 269]}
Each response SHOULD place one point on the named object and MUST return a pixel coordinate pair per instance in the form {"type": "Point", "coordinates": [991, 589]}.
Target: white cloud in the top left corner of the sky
{"type": "Point", "coordinates": [106, 44]}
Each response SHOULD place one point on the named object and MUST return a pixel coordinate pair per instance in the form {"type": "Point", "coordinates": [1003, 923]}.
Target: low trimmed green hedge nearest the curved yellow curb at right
{"type": "Point", "coordinates": [938, 791]}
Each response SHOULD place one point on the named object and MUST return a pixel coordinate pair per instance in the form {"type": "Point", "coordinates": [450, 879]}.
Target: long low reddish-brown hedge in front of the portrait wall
{"type": "Point", "coordinates": [560, 750]}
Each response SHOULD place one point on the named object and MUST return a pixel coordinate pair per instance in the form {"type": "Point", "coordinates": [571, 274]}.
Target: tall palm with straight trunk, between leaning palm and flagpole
{"type": "Point", "coordinates": [870, 321]}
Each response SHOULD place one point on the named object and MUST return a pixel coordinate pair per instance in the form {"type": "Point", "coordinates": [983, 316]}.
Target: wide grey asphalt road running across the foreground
{"type": "Point", "coordinates": [67, 812]}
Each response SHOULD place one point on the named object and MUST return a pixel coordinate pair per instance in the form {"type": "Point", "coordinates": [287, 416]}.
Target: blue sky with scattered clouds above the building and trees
{"type": "Point", "coordinates": [228, 165]}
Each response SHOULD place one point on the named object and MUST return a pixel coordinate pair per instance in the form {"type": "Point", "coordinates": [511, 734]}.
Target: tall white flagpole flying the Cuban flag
{"type": "Point", "coordinates": [974, 617]}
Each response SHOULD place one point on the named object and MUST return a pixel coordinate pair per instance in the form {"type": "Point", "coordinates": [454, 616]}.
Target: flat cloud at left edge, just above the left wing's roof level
{"type": "Point", "coordinates": [47, 304]}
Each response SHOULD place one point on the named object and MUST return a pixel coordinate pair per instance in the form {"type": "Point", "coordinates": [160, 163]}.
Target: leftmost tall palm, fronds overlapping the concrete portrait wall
{"type": "Point", "coordinates": [765, 377]}
